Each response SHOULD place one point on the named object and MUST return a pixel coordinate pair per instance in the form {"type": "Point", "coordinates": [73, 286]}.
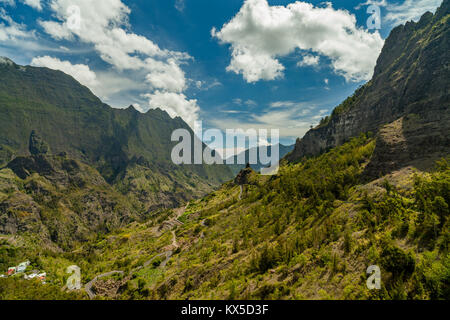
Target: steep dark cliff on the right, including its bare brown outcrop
{"type": "Point", "coordinates": [408, 96]}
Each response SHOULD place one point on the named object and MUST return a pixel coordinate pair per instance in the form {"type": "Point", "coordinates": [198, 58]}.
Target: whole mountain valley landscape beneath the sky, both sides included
{"type": "Point", "coordinates": [84, 184]}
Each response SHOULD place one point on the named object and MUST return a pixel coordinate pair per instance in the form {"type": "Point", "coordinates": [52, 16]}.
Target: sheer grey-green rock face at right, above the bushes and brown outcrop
{"type": "Point", "coordinates": [411, 78]}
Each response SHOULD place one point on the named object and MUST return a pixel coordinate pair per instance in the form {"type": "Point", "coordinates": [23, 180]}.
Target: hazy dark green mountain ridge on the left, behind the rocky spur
{"type": "Point", "coordinates": [131, 150]}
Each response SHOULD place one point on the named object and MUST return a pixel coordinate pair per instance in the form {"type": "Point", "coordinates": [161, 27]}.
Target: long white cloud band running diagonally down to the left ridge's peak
{"type": "Point", "coordinates": [104, 24]}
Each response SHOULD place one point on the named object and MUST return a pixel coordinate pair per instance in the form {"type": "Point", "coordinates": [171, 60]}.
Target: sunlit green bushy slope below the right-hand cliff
{"type": "Point", "coordinates": [309, 232]}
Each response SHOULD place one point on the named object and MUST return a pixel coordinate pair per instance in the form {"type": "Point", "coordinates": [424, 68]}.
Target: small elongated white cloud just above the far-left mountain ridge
{"type": "Point", "coordinates": [82, 73]}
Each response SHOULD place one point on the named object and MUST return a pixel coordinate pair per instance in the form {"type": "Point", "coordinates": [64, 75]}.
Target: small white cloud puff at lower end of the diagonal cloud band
{"type": "Point", "coordinates": [176, 104]}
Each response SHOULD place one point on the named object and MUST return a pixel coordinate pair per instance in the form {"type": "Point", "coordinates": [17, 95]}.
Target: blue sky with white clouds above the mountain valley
{"type": "Point", "coordinates": [262, 64]}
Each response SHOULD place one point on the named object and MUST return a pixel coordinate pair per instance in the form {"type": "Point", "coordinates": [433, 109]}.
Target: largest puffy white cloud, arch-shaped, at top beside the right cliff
{"type": "Point", "coordinates": [260, 34]}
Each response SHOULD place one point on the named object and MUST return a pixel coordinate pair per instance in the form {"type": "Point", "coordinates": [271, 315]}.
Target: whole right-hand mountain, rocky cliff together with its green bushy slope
{"type": "Point", "coordinates": [312, 230]}
